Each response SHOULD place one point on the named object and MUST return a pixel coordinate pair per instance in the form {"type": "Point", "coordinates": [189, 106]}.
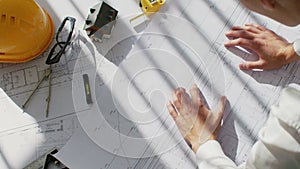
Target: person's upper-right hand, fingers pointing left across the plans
{"type": "Point", "coordinates": [273, 50]}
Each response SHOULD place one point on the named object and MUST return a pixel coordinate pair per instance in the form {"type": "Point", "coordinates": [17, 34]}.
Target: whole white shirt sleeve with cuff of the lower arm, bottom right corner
{"type": "Point", "coordinates": [278, 146]}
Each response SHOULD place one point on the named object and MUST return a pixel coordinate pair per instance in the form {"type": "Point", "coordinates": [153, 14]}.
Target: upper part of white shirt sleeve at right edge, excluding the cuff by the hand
{"type": "Point", "coordinates": [278, 145]}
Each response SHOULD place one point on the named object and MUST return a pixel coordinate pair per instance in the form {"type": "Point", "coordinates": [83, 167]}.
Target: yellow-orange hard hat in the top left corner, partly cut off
{"type": "Point", "coordinates": [26, 30]}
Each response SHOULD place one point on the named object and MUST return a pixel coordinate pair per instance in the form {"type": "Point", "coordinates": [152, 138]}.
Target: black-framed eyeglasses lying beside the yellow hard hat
{"type": "Point", "coordinates": [53, 56]}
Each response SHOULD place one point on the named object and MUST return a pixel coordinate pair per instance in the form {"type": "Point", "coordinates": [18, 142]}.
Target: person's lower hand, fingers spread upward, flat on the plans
{"type": "Point", "coordinates": [195, 121]}
